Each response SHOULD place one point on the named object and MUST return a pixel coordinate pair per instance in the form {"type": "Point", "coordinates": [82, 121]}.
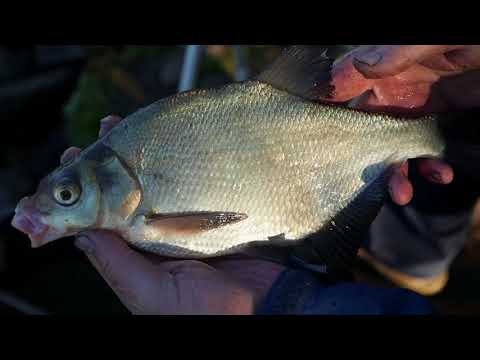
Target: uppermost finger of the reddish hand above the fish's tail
{"type": "Point", "coordinates": [388, 60]}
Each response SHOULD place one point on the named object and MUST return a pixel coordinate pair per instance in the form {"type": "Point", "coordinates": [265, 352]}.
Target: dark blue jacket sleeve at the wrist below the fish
{"type": "Point", "coordinates": [300, 292]}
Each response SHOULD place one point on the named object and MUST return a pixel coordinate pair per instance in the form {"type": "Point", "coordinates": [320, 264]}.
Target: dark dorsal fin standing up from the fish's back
{"type": "Point", "coordinates": [302, 69]}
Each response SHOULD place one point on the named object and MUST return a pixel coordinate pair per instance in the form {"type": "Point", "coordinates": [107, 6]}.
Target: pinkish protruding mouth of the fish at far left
{"type": "Point", "coordinates": [31, 222]}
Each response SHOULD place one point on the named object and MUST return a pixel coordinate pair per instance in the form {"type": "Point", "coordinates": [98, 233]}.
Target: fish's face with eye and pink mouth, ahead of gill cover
{"type": "Point", "coordinates": [66, 202]}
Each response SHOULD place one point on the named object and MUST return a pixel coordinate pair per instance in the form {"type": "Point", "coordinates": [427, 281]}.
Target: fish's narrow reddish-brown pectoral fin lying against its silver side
{"type": "Point", "coordinates": [193, 222]}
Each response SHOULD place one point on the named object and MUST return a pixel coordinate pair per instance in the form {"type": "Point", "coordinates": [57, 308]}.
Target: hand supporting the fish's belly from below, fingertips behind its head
{"type": "Point", "coordinates": [150, 284]}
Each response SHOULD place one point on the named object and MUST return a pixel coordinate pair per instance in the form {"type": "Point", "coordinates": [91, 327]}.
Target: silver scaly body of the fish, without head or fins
{"type": "Point", "coordinates": [288, 163]}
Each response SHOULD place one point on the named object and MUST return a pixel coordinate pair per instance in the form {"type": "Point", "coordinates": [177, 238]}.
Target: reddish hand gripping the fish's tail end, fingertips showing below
{"type": "Point", "coordinates": [408, 80]}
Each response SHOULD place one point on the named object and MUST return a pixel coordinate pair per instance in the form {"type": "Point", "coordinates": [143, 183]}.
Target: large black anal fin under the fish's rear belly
{"type": "Point", "coordinates": [333, 249]}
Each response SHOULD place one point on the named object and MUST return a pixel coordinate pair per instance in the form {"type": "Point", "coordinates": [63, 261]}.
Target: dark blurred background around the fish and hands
{"type": "Point", "coordinates": [53, 97]}
